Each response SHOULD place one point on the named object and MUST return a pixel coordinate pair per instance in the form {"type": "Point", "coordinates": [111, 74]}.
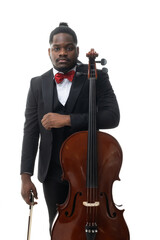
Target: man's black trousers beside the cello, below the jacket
{"type": "Point", "coordinates": [55, 193]}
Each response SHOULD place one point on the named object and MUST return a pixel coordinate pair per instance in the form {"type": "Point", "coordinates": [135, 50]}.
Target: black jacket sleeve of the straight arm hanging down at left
{"type": "Point", "coordinates": [31, 134]}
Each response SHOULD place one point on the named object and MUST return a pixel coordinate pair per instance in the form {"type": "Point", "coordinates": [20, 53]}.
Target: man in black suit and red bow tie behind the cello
{"type": "Point", "coordinates": [57, 108]}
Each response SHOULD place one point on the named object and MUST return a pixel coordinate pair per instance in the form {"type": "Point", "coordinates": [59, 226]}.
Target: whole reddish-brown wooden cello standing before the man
{"type": "Point", "coordinates": [91, 161]}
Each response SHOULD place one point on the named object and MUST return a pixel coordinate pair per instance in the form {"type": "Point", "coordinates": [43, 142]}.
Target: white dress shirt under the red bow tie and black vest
{"type": "Point", "coordinates": [63, 88]}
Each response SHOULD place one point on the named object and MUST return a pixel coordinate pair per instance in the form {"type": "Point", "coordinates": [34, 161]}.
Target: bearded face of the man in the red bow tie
{"type": "Point", "coordinates": [63, 52]}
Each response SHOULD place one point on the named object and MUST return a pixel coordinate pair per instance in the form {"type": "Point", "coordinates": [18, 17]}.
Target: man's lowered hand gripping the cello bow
{"type": "Point", "coordinates": [27, 186]}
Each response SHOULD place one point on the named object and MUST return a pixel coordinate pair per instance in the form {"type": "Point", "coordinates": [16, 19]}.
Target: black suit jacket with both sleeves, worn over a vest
{"type": "Point", "coordinates": [40, 101]}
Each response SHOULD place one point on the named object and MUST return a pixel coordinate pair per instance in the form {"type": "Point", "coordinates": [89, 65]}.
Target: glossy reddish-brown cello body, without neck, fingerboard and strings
{"type": "Point", "coordinates": [70, 224]}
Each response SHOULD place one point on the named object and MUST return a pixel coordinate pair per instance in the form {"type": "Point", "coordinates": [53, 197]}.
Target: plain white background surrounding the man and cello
{"type": "Point", "coordinates": [126, 33]}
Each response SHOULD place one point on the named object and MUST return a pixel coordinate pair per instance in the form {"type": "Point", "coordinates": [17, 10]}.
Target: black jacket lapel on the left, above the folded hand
{"type": "Point", "coordinates": [47, 91]}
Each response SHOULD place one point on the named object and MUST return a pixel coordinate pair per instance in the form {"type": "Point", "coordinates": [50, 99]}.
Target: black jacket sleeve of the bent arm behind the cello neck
{"type": "Point", "coordinates": [108, 115]}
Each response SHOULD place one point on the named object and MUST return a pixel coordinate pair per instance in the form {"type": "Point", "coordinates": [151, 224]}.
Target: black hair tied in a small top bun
{"type": "Point", "coordinates": [63, 28]}
